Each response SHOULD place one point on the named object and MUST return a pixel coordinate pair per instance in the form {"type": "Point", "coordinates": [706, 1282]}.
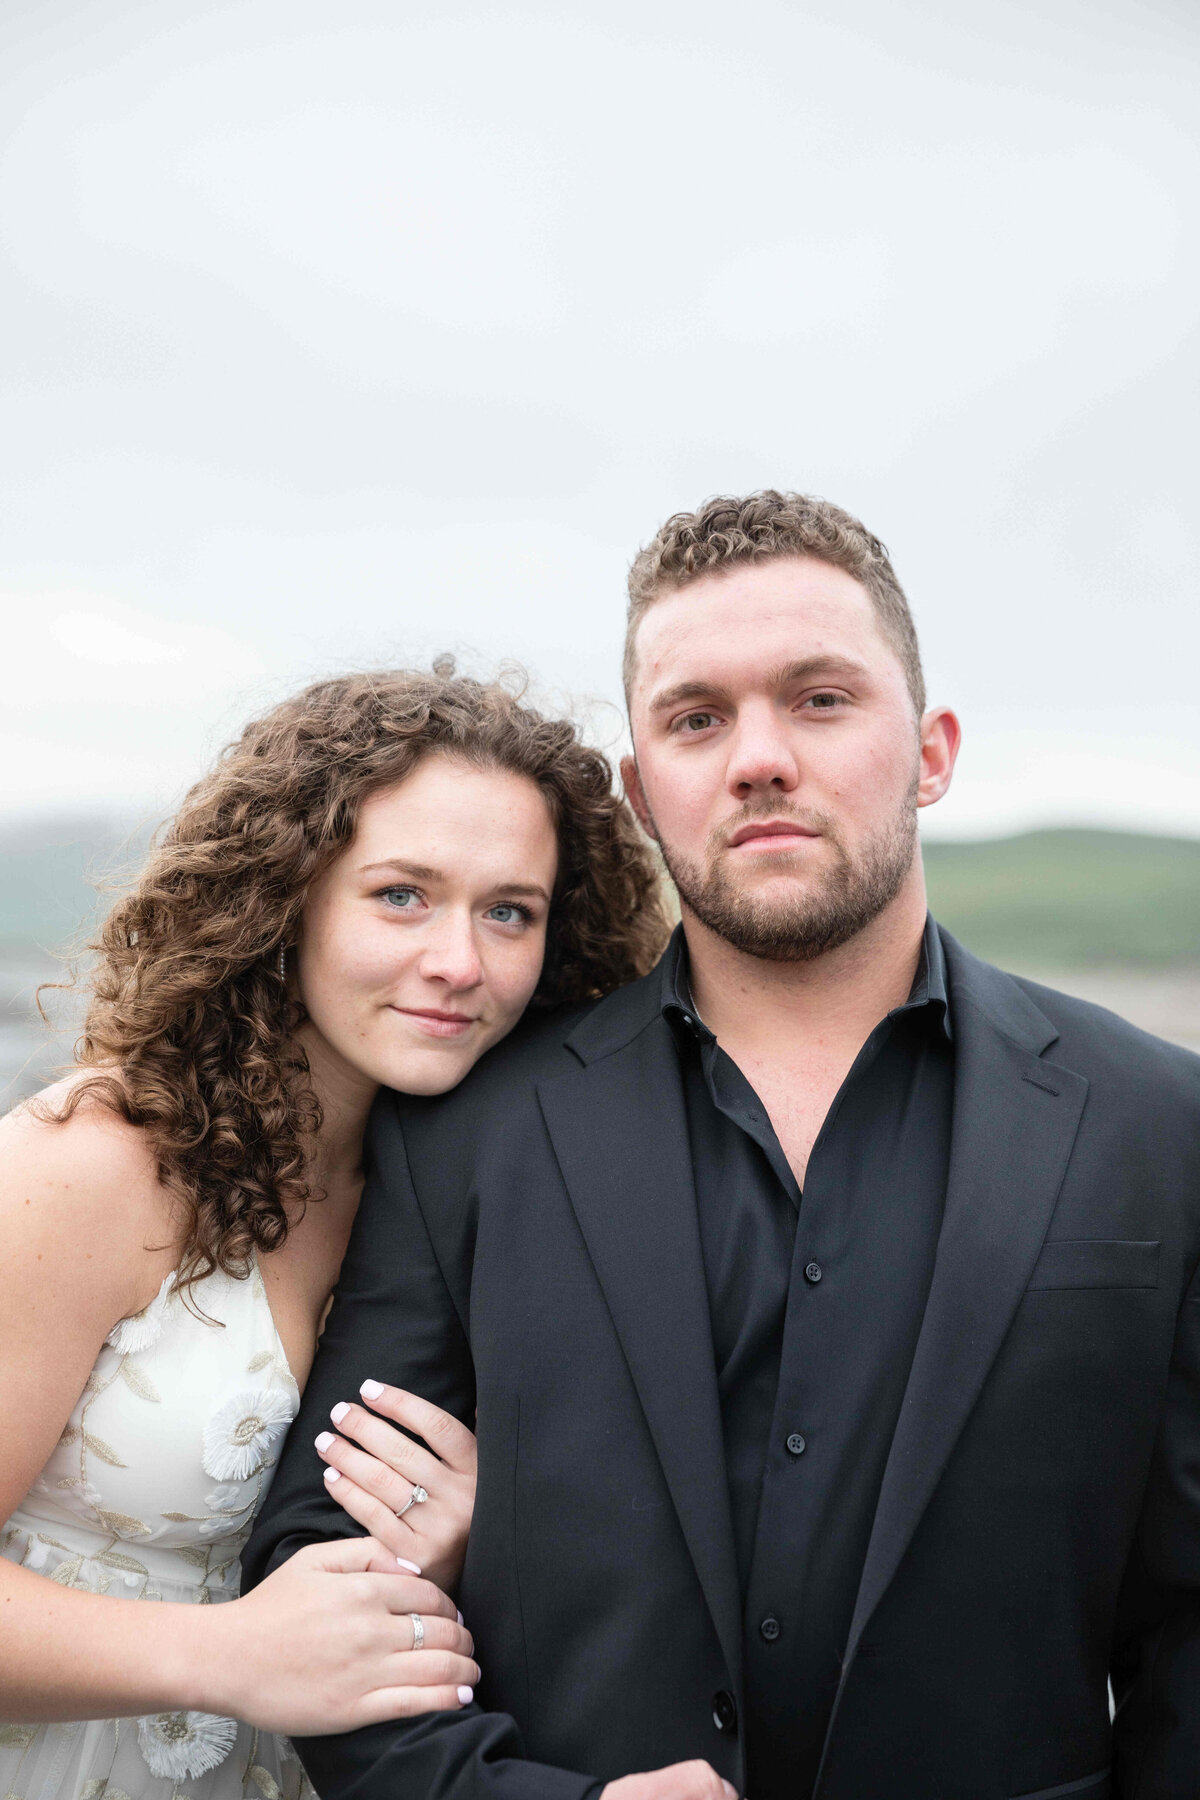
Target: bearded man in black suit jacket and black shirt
{"type": "Point", "coordinates": [828, 1297]}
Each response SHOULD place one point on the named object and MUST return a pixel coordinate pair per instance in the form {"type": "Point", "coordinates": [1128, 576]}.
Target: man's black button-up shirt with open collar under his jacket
{"type": "Point", "coordinates": [816, 1302]}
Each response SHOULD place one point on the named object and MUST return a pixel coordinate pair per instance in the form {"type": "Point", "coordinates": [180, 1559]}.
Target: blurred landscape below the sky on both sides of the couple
{"type": "Point", "coordinates": [1111, 917]}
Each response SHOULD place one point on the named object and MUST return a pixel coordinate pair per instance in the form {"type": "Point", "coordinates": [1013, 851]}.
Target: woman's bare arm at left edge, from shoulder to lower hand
{"type": "Point", "coordinates": [87, 1239]}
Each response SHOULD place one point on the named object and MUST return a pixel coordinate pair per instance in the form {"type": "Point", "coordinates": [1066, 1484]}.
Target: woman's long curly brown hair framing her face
{"type": "Point", "coordinates": [190, 1030]}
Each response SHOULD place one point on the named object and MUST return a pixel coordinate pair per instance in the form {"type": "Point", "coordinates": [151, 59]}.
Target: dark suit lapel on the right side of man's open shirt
{"type": "Point", "coordinates": [1016, 1119]}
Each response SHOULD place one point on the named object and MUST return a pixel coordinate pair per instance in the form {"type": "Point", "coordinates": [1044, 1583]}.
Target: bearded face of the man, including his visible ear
{"type": "Point", "coordinates": [780, 762]}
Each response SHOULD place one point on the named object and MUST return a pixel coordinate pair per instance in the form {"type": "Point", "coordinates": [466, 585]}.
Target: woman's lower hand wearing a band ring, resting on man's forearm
{"type": "Point", "coordinates": [327, 1644]}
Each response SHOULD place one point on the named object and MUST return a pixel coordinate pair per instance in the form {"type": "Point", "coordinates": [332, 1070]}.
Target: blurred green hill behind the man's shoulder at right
{"type": "Point", "coordinates": [1071, 899]}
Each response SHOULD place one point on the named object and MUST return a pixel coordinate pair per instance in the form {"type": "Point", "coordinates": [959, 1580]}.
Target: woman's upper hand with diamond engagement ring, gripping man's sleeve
{"type": "Point", "coordinates": [375, 1470]}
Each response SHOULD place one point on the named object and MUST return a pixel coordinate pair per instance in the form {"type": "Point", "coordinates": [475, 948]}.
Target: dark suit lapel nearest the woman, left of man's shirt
{"type": "Point", "coordinates": [620, 1133]}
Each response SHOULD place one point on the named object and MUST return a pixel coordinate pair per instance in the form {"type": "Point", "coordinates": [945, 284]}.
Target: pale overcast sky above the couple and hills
{"type": "Point", "coordinates": [341, 336]}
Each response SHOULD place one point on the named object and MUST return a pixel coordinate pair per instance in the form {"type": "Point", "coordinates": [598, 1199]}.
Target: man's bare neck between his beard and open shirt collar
{"type": "Point", "coordinates": [769, 1011]}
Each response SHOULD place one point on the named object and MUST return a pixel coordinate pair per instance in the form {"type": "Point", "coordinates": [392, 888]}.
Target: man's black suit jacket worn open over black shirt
{"type": "Point", "coordinates": [530, 1246]}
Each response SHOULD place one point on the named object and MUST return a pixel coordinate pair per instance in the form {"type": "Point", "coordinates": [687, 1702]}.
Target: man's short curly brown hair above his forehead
{"type": "Point", "coordinates": [764, 528]}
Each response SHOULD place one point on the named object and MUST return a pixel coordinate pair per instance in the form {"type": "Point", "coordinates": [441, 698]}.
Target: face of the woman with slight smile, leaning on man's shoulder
{"type": "Point", "coordinates": [422, 946]}
